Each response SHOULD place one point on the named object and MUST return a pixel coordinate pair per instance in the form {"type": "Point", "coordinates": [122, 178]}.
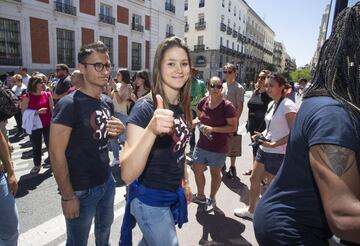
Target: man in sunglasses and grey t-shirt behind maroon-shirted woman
{"type": "Point", "coordinates": [234, 92]}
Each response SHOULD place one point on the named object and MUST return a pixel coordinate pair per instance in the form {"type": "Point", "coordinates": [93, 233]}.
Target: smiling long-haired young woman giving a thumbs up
{"type": "Point", "coordinates": [154, 155]}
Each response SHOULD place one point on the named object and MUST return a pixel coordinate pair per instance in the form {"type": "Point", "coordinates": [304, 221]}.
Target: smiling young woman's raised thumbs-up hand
{"type": "Point", "coordinates": [162, 120]}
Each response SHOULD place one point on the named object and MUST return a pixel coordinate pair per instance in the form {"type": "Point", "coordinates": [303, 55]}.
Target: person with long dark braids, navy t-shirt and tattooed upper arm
{"type": "Point", "coordinates": [316, 193]}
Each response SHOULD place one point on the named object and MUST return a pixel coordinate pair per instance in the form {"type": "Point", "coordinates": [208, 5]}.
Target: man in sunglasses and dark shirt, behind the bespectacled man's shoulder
{"type": "Point", "coordinates": [64, 84]}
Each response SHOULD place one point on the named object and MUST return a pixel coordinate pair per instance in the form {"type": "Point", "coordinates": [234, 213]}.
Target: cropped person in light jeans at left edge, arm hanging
{"type": "Point", "coordinates": [9, 221]}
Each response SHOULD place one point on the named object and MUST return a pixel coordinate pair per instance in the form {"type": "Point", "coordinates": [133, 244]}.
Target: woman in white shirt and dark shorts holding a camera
{"type": "Point", "coordinates": [272, 141]}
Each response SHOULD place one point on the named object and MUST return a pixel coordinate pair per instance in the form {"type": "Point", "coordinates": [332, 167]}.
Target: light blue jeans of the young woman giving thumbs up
{"type": "Point", "coordinates": [156, 224]}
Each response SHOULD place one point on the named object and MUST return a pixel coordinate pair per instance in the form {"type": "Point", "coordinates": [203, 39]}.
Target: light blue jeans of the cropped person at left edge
{"type": "Point", "coordinates": [9, 220]}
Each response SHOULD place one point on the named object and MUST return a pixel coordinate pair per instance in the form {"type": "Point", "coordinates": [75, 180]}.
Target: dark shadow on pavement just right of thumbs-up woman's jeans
{"type": "Point", "coordinates": [222, 230]}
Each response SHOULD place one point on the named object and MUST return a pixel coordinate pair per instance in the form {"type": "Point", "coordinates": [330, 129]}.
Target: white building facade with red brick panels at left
{"type": "Point", "coordinates": [38, 34]}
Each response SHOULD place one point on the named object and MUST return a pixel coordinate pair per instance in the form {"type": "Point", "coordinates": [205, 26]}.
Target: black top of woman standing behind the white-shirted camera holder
{"type": "Point", "coordinates": [257, 105]}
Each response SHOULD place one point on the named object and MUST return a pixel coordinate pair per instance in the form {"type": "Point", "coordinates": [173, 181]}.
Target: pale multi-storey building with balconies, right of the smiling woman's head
{"type": "Point", "coordinates": [224, 31]}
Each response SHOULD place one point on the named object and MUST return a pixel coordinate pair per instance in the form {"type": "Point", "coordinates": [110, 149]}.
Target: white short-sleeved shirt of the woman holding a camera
{"type": "Point", "coordinates": [278, 124]}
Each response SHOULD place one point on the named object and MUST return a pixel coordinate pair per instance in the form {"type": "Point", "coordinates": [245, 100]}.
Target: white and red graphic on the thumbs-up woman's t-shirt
{"type": "Point", "coordinates": [180, 136]}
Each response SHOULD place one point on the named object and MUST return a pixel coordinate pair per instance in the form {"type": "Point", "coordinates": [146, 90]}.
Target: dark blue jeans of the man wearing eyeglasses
{"type": "Point", "coordinates": [98, 203]}
